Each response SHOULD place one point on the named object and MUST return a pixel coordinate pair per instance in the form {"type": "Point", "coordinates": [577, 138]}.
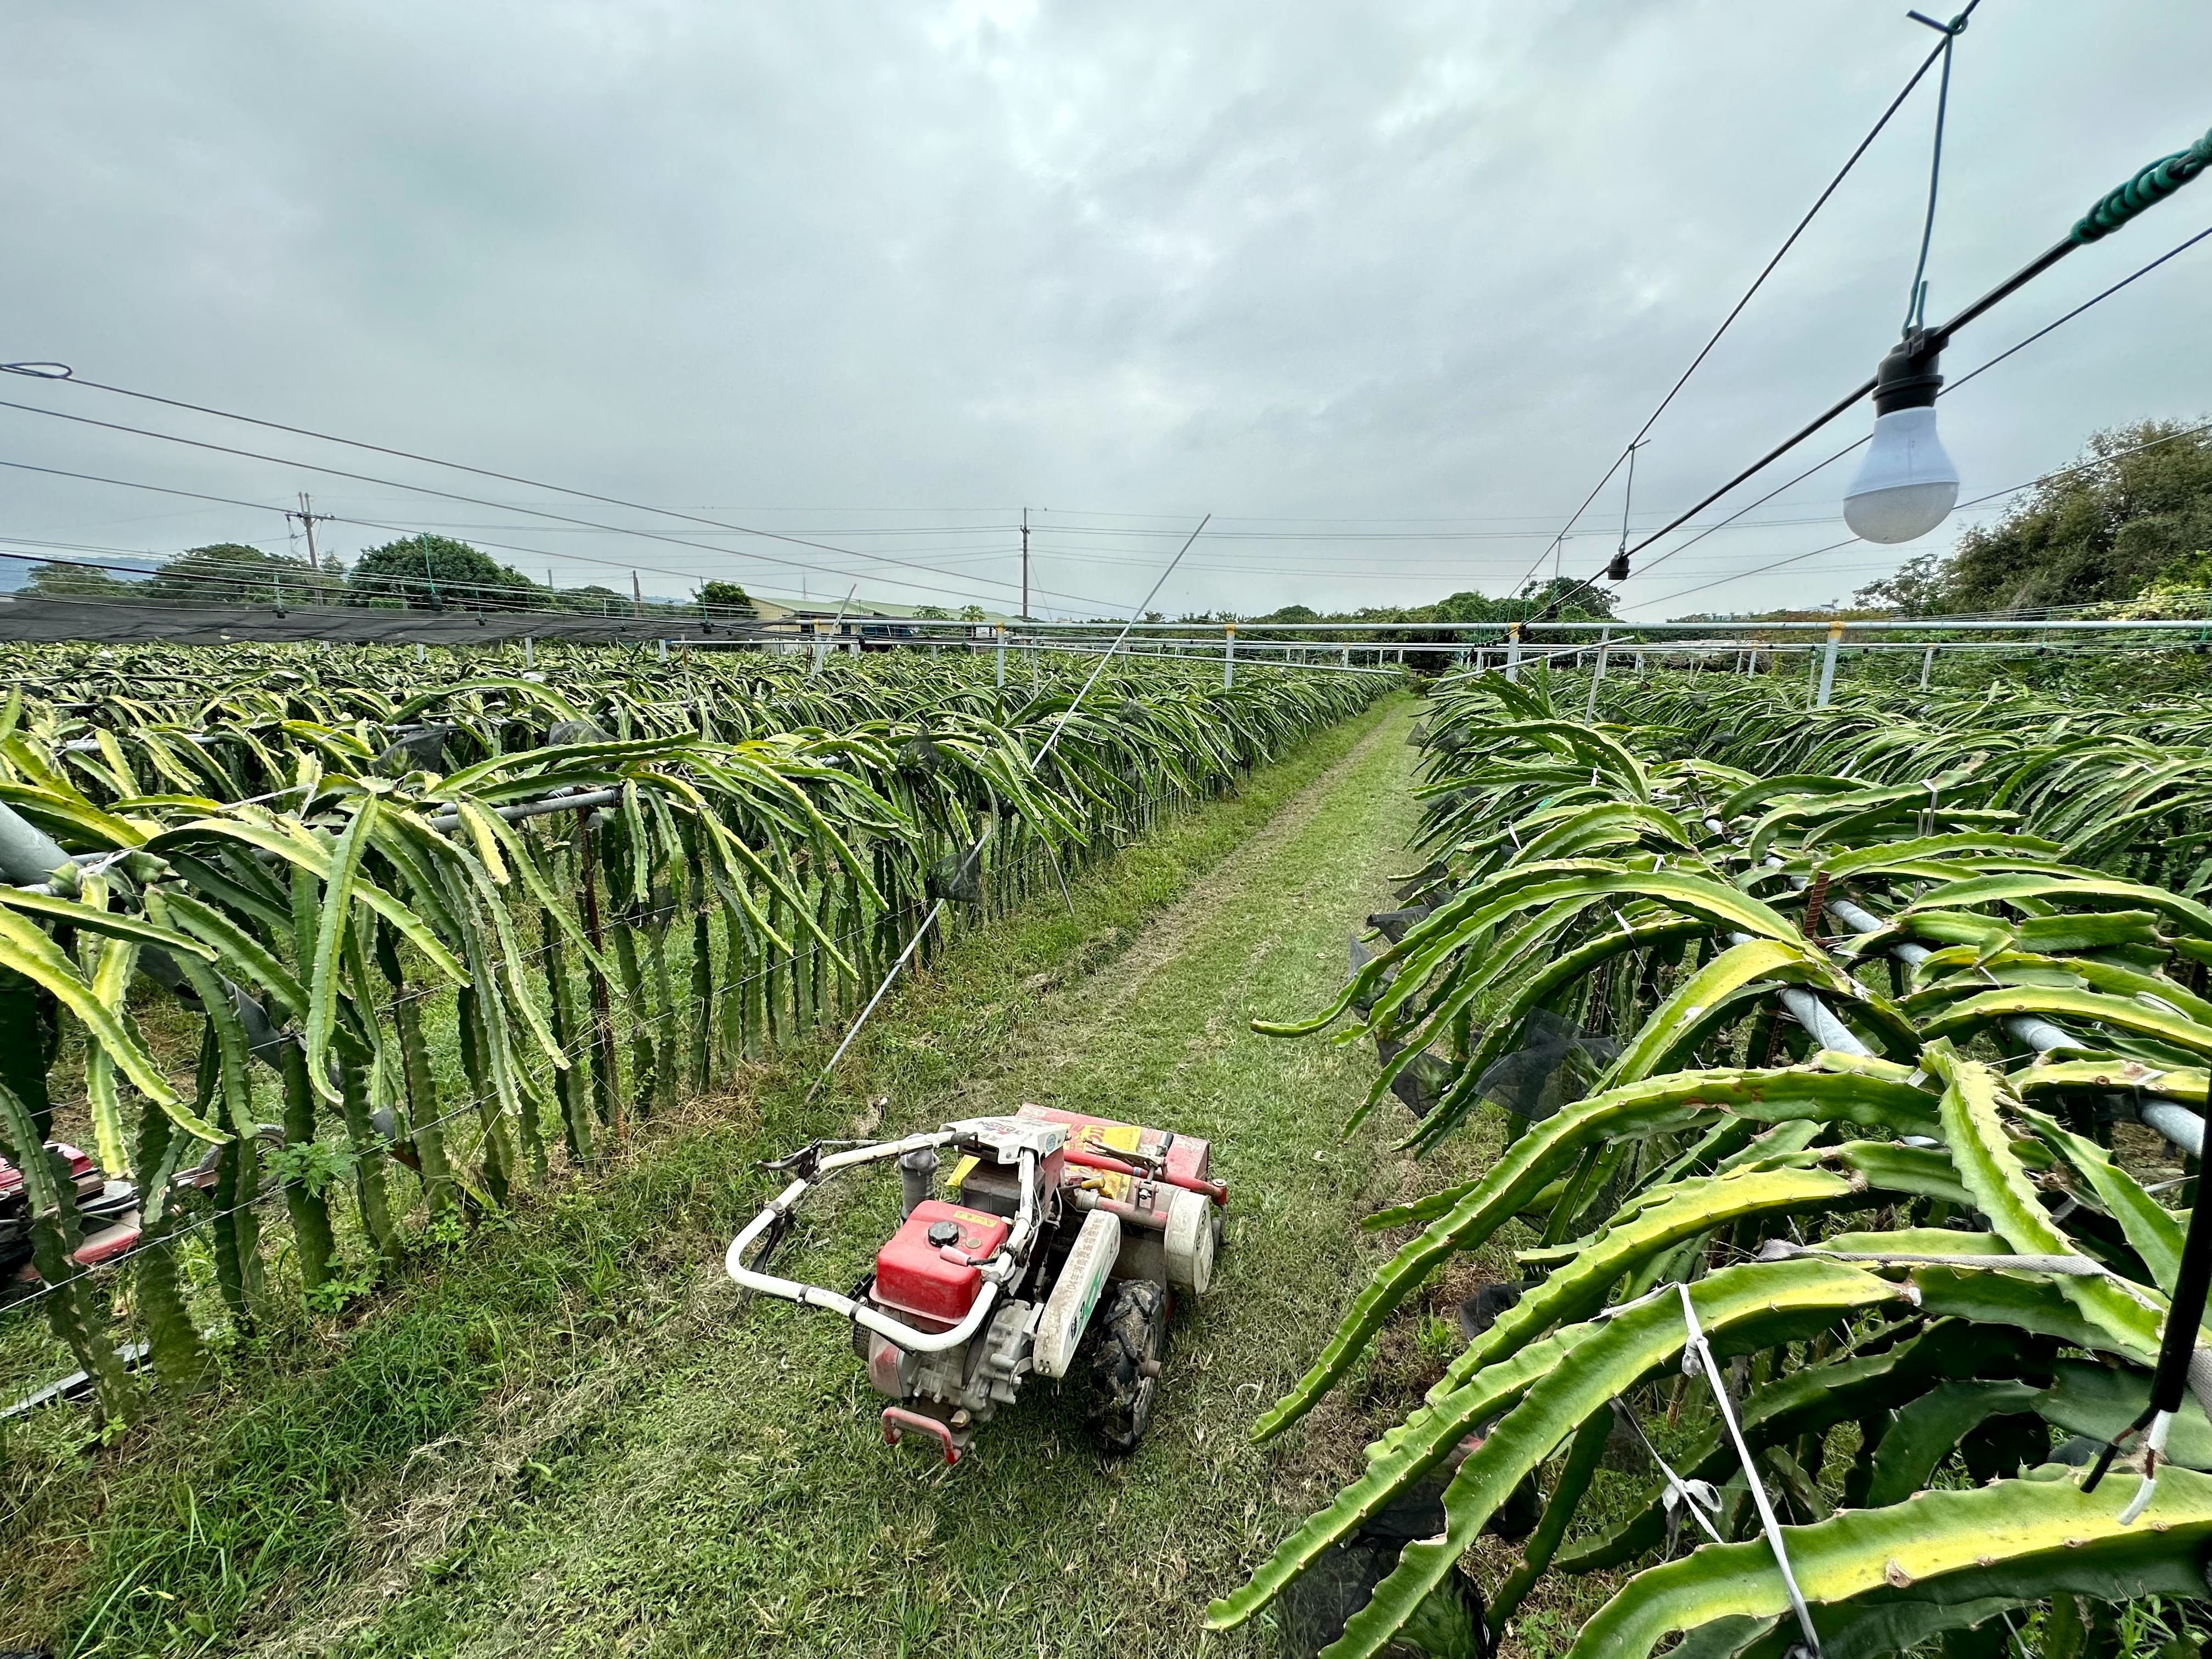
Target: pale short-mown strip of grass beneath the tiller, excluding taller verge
{"type": "Point", "coordinates": [735, 1499]}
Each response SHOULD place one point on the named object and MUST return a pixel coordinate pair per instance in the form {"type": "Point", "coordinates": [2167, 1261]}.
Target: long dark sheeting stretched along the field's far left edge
{"type": "Point", "coordinates": [107, 623]}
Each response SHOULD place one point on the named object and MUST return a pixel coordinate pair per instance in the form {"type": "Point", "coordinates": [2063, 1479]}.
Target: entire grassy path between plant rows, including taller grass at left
{"type": "Point", "coordinates": [651, 1468]}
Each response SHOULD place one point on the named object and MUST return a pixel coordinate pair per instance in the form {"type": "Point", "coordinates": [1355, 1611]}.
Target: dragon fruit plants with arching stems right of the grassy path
{"type": "Point", "coordinates": [1846, 1058]}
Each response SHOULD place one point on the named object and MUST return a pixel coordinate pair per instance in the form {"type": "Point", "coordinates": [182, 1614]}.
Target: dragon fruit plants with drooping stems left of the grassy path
{"type": "Point", "coordinates": [311, 954]}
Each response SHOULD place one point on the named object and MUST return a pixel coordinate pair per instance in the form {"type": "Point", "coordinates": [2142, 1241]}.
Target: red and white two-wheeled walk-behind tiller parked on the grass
{"type": "Point", "coordinates": [1052, 1227]}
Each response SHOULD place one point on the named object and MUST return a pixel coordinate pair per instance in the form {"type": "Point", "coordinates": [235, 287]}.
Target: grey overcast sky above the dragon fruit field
{"type": "Point", "coordinates": [1384, 289]}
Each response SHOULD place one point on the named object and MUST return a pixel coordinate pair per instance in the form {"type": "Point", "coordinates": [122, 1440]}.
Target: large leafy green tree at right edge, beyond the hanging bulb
{"type": "Point", "coordinates": [2100, 532]}
